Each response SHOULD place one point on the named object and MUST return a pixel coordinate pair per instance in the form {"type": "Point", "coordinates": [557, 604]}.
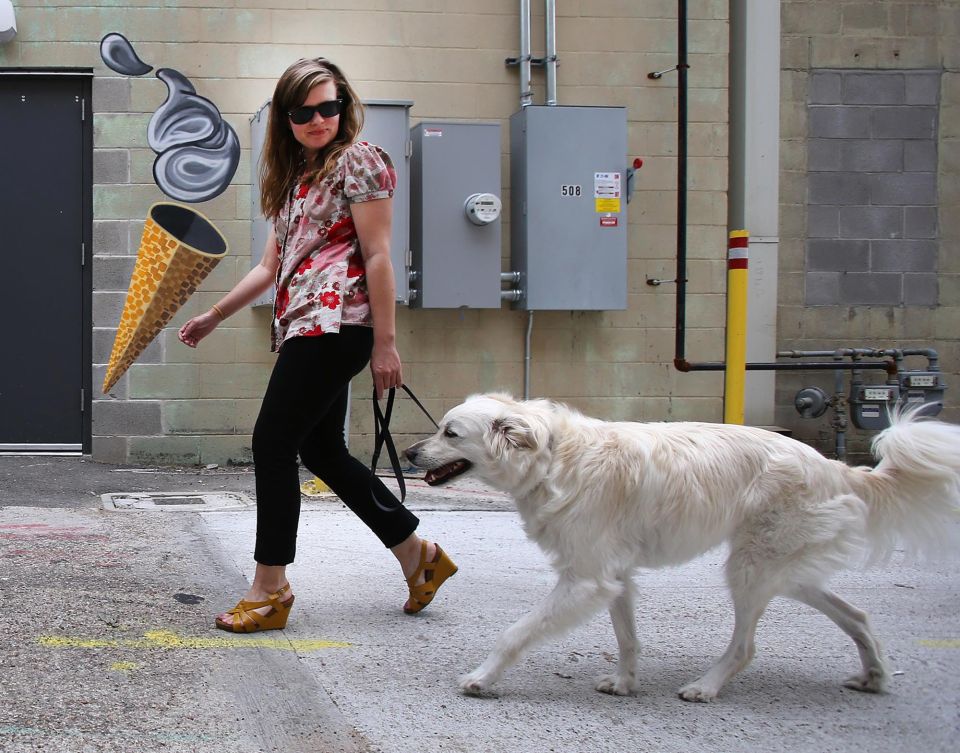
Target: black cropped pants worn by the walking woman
{"type": "Point", "coordinates": [302, 414]}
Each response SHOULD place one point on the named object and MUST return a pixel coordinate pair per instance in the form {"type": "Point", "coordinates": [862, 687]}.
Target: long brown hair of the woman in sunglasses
{"type": "Point", "coordinates": [282, 164]}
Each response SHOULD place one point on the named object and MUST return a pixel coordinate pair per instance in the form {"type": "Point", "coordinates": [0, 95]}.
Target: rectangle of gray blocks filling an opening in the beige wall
{"type": "Point", "coordinates": [872, 189]}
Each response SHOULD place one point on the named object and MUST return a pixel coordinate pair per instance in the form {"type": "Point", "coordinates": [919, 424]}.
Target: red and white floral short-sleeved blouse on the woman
{"type": "Point", "coordinates": [321, 279]}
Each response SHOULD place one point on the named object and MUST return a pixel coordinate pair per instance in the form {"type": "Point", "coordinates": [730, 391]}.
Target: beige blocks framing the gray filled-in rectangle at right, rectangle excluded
{"type": "Point", "coordinates": [875, 35]}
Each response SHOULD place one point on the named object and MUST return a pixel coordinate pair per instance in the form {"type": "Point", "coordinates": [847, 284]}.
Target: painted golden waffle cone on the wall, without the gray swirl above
{"type": "Point", "coordinates": [179, 248]}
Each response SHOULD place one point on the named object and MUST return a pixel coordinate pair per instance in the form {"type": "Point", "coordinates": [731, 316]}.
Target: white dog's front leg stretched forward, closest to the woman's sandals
{"type": "Point", "coordinates": [571, 602]}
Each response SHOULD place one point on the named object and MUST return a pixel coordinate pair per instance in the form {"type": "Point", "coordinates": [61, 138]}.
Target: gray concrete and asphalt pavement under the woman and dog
{"type": "Point", "coordinates": [109, 644]}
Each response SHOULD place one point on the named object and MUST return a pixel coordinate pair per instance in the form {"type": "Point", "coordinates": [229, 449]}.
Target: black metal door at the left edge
{"type": "Point", "coordinates": [44, 309]}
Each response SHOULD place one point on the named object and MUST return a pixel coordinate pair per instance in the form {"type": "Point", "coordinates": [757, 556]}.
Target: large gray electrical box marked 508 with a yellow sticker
{"type": "Point", "coordinates": [568, 207]}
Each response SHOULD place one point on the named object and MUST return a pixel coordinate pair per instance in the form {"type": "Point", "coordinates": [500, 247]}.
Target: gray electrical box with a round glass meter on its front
{"type": "Point", "coordinates": [455, 215]}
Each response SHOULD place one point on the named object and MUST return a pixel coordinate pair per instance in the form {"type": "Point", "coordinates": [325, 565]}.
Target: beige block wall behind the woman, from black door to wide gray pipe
{"type": "Point", "coordinates": [178, 405]}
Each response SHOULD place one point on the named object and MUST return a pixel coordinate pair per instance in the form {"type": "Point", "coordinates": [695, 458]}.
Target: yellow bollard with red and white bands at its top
{"type": "Point", "coordinates": [736, 351]}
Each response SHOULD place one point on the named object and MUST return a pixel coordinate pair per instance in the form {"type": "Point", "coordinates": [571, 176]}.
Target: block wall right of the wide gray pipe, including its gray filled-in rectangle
{"type": "Point", "coordinates": [870, 233]}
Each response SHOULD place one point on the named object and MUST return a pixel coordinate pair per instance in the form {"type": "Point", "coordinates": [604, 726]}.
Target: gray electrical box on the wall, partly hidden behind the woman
{"type": "Point", "coordinates": [387, 124]}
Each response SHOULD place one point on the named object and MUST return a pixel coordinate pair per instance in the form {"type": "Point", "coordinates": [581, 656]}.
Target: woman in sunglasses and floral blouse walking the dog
{"type": "Point", "coordinates": [328, 253]}
